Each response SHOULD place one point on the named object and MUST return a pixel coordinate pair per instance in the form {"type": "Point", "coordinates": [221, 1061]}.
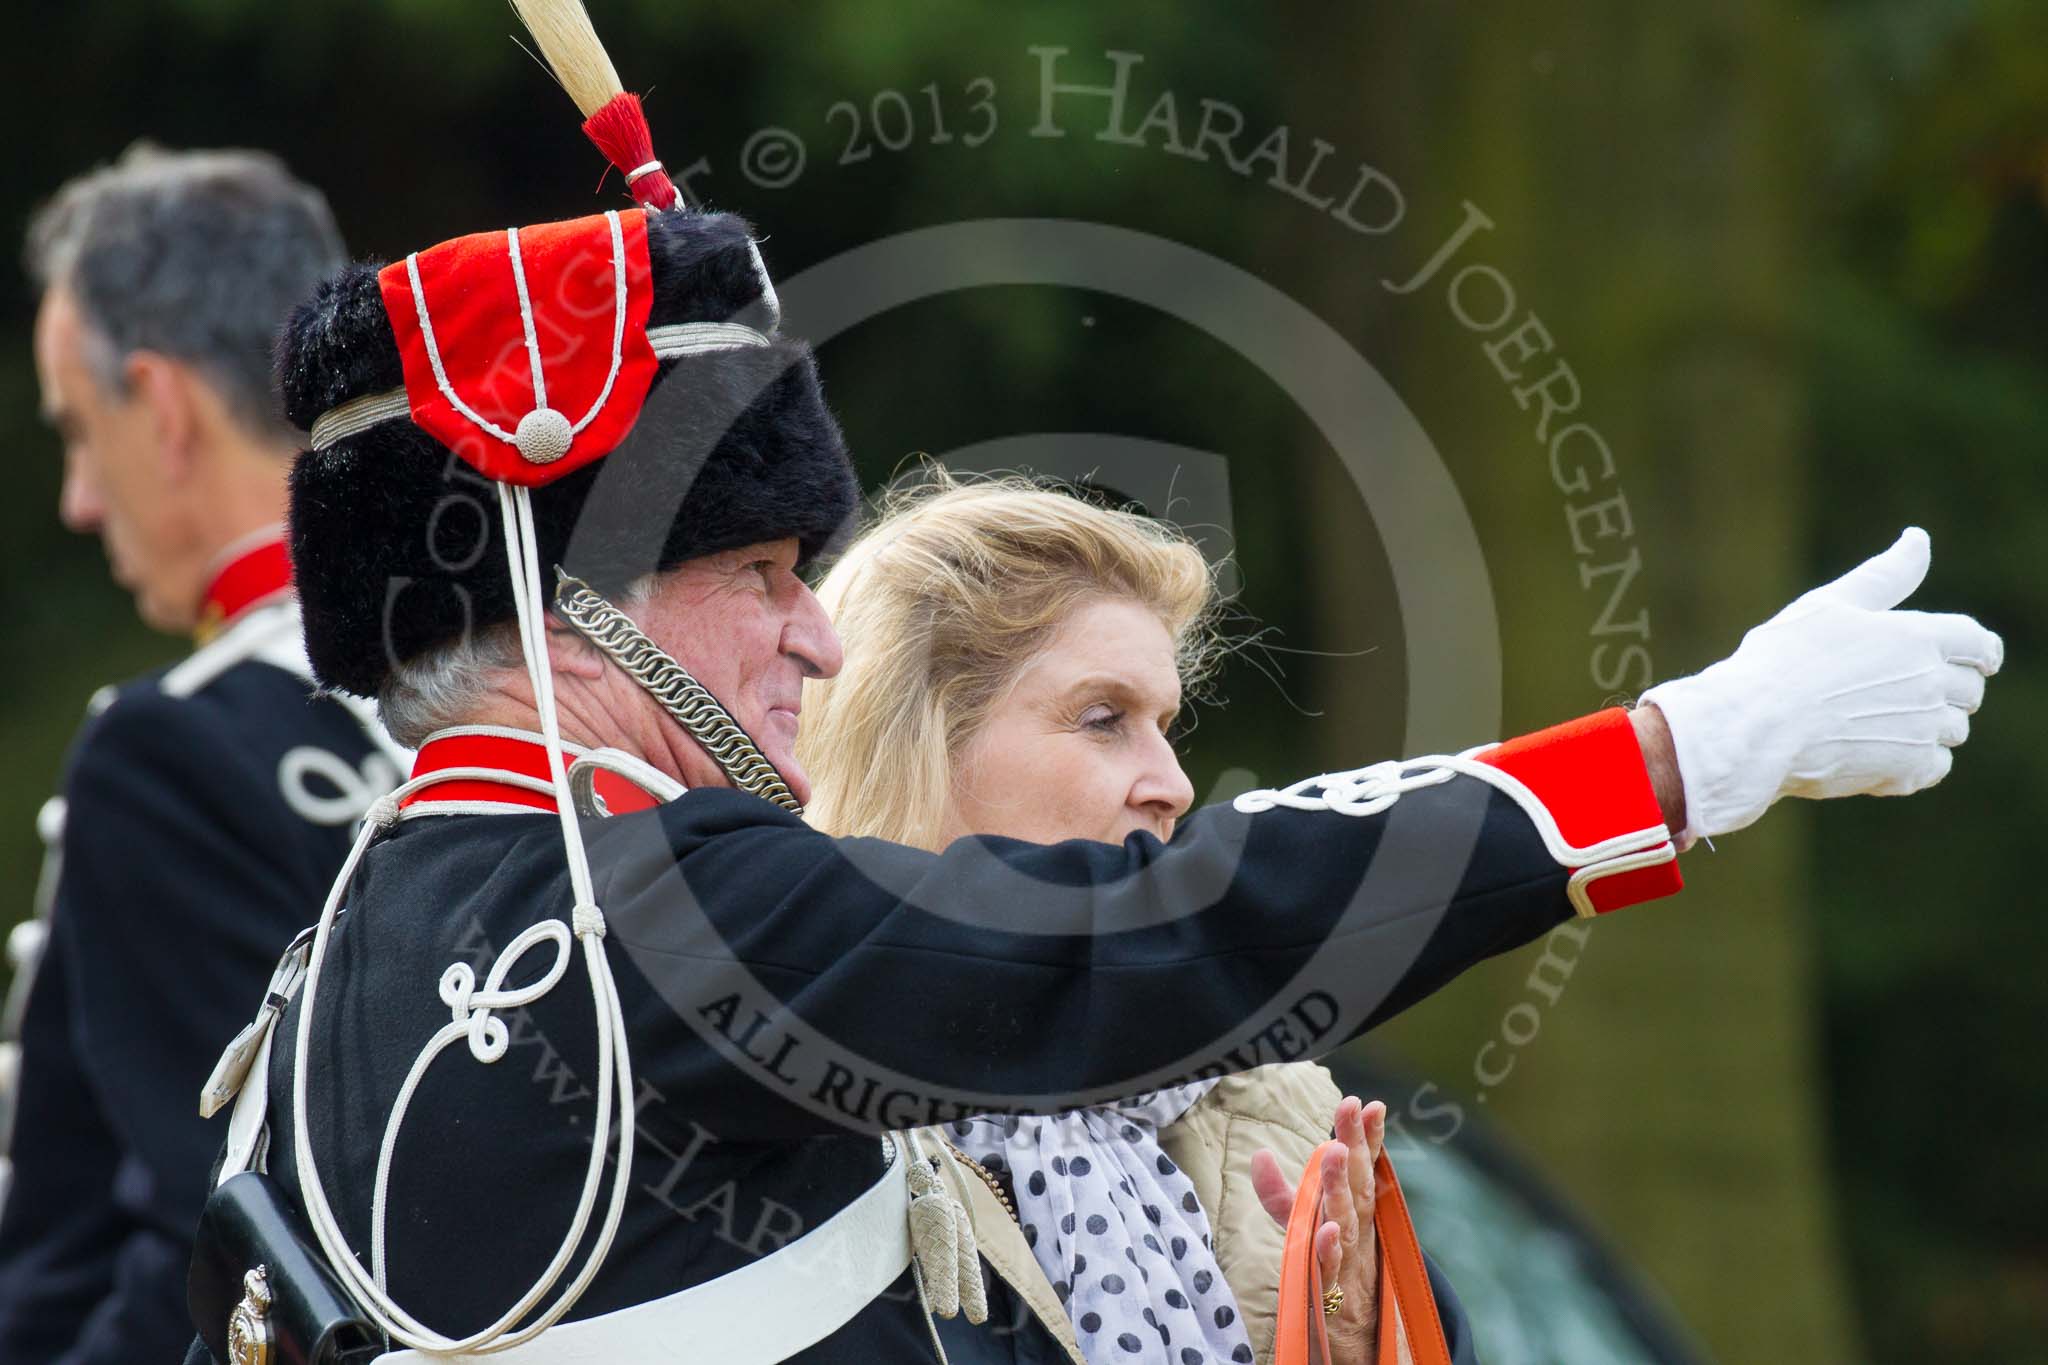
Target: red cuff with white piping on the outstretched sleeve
{"type": "Point", "coordinates": [1586, 789]}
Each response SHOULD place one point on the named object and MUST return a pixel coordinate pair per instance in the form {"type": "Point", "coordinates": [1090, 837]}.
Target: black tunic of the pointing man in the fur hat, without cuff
{"type": "Point", "coordinates": [790, 998]}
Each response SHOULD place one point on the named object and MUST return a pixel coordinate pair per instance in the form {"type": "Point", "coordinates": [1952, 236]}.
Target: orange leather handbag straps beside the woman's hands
{"type": "Point", "coordinates": [1406, 1298]}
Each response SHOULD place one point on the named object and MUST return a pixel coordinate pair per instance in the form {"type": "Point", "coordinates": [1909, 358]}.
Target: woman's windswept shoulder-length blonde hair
{"type": "Point", "coordinates": [941, 605]}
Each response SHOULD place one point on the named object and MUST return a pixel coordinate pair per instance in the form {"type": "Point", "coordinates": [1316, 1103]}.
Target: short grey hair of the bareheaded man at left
{"type": "Point", "coordinates": [191, 255]}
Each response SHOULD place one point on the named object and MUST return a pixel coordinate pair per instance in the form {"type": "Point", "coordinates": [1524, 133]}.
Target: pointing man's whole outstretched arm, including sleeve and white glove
{"type": "Point", "coordinates": [1048, 977]}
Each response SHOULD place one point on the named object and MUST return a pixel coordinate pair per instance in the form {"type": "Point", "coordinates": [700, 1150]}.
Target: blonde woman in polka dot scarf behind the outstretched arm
{"type": "Point", "coordinates": [1015, 660]}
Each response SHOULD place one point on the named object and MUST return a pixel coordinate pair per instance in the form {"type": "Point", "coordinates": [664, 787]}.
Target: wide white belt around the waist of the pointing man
{"type": "Point", "coordinates": [763, 1313]}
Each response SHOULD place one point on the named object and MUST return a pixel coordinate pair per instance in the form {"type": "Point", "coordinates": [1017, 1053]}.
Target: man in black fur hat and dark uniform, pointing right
{"type": "Point", "coordinates": [579, 1088]}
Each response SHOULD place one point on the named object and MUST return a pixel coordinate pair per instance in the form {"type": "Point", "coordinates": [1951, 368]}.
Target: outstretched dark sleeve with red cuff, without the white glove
{"type": "Point", "coordinates": [1007, 973]}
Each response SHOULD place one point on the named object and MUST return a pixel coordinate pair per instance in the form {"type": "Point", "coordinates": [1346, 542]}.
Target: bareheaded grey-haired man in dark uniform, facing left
{"type": "Point", "coordinates": [202, 805]}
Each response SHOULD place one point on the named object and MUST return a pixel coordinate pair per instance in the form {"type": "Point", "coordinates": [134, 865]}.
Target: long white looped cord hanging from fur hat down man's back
{"type": "Point", "coordinates": [474, 1020]}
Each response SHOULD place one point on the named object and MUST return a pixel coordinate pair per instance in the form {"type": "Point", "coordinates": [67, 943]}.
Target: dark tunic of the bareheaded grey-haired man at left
{"type": "Point", "coordinates": [185, 873]}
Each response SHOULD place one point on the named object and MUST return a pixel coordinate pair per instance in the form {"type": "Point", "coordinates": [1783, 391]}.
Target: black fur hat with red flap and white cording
{"type": "Point", "coordinates": [394, 529]}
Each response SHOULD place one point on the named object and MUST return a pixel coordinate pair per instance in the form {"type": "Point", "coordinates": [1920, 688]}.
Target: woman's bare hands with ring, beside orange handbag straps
{"type": "Point", "coordinates": [1345, 1245]}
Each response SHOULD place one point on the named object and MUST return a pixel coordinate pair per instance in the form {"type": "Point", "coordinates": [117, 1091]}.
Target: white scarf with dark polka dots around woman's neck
{"type": "Point", "coordinates": [1117, 1229]}
